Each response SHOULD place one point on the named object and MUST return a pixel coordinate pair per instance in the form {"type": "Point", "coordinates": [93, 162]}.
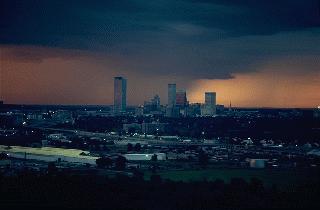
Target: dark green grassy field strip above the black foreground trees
{"type": "Point", "coordinates": [283, 178]}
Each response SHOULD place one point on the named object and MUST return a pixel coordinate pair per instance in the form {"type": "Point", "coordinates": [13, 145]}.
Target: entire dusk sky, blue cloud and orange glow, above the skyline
{"type": "Point", "coordinates": [256, 53]}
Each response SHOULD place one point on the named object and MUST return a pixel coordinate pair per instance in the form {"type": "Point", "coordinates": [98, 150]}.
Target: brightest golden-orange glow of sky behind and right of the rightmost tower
{"type": "Point", "coordinates": [262, 89]}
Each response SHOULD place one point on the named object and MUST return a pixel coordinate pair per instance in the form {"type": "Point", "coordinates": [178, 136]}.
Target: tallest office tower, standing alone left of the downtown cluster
{"type": "Point", "coordinates": [120, 94]}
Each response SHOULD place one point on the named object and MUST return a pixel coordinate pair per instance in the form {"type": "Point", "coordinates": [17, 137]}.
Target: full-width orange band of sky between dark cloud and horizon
{"type": "Point", "coordinates": [33, 75]}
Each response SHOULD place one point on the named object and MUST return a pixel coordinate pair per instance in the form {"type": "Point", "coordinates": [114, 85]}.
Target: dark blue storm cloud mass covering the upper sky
{"type": "Point", "coordinates": [199, 39]}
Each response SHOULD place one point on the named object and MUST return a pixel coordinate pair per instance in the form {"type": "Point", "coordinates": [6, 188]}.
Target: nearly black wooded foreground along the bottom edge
{"type": "Point", "coordinates": [60, 190]}
